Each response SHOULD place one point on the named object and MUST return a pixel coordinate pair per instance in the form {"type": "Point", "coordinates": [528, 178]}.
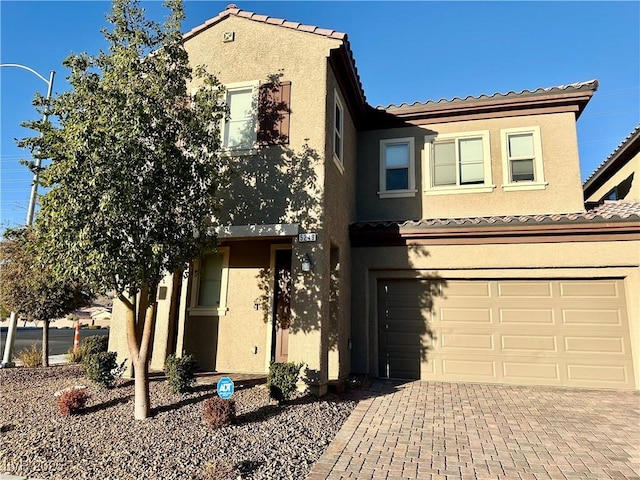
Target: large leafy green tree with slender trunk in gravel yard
{"type": "Point", "coordinates": [134, 168]}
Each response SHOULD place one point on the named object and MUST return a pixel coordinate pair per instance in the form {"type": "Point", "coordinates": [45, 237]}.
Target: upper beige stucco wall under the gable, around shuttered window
{"type": "Point", "coordinates": [260, 50]}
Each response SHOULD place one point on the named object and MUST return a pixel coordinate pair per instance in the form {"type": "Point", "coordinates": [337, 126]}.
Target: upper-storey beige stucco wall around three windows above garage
{"type": "Point", "coordinates": [563, 194]}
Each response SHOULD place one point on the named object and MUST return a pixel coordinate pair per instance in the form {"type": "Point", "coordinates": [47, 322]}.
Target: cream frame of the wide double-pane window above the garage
{"type": "Point", "coordinates": [431, 140]}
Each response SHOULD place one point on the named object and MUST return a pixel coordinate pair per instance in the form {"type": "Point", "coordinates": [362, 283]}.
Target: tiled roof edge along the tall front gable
{"type": "Point", "coordinates": [233, 10]}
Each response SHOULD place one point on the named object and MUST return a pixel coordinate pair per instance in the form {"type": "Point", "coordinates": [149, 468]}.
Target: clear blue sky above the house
{"type": "Point", "coordinates": [404, 51]}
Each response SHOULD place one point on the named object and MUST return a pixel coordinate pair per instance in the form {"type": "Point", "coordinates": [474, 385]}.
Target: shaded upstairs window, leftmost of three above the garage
{"type": "Point", "coordinates": [397, 168]}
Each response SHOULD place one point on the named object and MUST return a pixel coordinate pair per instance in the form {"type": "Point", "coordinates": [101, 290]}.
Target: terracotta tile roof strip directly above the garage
{"type": "Point", "coordinates": [608, 211]}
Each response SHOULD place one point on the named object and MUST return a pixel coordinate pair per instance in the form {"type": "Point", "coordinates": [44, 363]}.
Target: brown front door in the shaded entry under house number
{"type": "Point", "coordinates": [281, 305]}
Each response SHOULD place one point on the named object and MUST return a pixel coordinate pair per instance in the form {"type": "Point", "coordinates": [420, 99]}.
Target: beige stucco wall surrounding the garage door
{"type": "Point", "coordinates": [522, 261]}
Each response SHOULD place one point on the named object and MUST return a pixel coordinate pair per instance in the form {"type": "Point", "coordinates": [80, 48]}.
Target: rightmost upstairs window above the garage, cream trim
{"type": "Point", "coordinates": [522, 159]}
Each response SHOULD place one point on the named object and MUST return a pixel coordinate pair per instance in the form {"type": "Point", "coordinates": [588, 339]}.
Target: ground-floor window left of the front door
{"type": "Point", "coordinates": [210, 283]}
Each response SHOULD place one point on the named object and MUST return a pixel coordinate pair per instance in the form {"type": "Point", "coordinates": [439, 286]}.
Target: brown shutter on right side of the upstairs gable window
{"type": "Point", "coordinates": [273, 113]}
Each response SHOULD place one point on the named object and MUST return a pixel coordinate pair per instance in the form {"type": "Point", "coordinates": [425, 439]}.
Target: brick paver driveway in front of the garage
{"type": "Point", "coordinates": [422, 430]}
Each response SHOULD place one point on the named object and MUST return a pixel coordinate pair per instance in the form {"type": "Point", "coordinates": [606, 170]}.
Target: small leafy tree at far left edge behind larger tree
{"type": "Point", "coordinates": [28, 285]}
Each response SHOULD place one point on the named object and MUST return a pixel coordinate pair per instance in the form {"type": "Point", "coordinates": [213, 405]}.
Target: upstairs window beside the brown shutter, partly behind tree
{"type": "Point", "coordinates": [239, 130]}
